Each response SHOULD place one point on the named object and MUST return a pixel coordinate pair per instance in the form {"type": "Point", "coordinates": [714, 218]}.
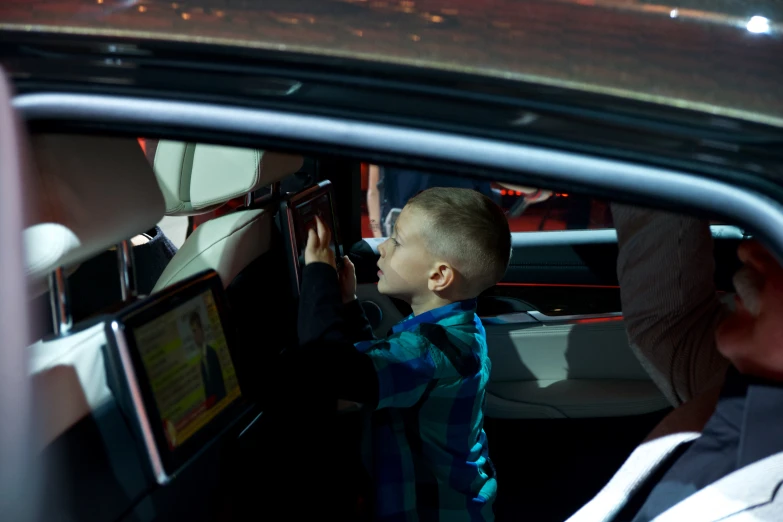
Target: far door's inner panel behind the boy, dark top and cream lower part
{"type": "Point", "coordinates": [557, 361]}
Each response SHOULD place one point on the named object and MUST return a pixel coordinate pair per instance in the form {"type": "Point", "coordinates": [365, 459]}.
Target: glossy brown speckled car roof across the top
{"type": "Point", "coordinates": [720, 58]}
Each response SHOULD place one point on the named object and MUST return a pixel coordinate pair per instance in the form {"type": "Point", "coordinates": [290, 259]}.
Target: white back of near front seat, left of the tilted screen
{"type": "Point", "coordinates": [69, 380]}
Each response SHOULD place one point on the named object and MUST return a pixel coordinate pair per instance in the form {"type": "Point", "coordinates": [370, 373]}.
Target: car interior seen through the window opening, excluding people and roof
{"type": "Point", "coordinates": [567, 402]}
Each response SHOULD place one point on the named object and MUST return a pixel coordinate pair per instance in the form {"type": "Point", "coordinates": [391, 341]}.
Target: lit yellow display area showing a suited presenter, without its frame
{"type": "Point", "coordinates": [189, 367]}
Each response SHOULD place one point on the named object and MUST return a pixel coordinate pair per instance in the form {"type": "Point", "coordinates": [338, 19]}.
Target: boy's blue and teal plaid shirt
{"type": "Point", "coordinates": [430, 458]}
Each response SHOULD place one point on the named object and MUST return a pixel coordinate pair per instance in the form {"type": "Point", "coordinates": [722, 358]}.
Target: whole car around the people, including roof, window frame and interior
{"type": "Point", "coordinates": [160, 160]}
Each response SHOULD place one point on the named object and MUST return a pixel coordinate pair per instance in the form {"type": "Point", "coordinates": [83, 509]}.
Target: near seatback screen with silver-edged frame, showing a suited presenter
{"type": "Point", "coordinates": [175, 373]}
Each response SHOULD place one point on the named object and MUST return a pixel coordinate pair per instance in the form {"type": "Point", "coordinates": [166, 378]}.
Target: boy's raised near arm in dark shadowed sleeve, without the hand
{"type": "Point", "coordinates": [390, 373]}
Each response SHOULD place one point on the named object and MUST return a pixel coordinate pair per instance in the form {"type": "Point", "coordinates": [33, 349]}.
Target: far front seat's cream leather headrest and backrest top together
{"type": "Point", "coordinates": [197, 178]}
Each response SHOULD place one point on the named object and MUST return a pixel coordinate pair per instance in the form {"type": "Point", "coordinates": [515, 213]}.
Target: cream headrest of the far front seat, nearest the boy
{"type": "Point", "coordinates": [196, 178]}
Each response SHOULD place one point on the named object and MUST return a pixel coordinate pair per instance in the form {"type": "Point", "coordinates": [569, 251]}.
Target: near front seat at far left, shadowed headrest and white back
{"type": "Point", "coordinates": [90, 193]}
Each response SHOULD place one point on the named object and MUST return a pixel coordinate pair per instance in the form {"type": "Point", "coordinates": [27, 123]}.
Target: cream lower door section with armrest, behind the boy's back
{"type": "Point", "coordinates": [566, 370]}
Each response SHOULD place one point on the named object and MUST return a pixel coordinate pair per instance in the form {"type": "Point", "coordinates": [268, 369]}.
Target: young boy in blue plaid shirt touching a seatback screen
{"type": "Point", "coordinates": [425, 382]}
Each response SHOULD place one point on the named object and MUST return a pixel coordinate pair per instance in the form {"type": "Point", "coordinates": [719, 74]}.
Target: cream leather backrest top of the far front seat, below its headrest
{"type": "Point", "coordinates": [226, 244]}
